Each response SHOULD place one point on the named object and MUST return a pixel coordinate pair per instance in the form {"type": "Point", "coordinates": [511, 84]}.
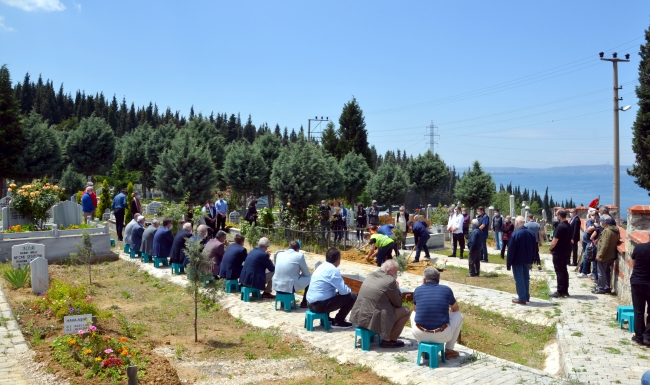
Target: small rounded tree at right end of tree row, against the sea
{"type": "Point", "coordinates": [475, 188]}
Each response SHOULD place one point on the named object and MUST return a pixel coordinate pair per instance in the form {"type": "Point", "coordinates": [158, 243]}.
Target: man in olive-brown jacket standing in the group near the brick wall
{"type": "Point", "coordinates": [607, 253]}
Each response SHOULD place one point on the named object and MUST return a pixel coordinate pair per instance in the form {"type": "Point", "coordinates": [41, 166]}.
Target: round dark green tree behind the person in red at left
{"type": "Point", "coordinates": [91, 147]}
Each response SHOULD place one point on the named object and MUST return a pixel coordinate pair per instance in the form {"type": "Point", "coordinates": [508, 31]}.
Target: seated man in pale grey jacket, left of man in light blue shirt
{"type": "Point", "coordinates": [291, 272]}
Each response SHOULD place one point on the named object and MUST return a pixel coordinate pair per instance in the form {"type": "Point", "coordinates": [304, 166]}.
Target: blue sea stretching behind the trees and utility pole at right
{"type": "Point", "coordinates": [580, 183]}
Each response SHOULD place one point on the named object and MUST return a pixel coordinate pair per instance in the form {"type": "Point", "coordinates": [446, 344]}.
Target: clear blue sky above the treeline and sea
{"type": "Point", "coordinates": [510, 83]}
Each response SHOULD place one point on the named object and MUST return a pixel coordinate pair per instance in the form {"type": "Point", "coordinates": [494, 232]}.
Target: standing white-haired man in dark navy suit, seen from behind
{"type": "Point", "coordinates": [521, 251]}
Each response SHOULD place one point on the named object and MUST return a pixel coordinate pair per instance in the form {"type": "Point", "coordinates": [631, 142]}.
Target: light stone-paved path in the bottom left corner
{"type": "Point", "coordinates": [11, 342]}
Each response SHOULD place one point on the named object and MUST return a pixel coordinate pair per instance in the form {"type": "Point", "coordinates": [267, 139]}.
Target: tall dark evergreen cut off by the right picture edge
{"type": "Point", "coordinates": [641, 140]}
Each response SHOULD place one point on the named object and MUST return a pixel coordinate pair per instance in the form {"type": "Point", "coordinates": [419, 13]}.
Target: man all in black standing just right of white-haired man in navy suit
{"type": "Point", "coordinates": [561, 250]}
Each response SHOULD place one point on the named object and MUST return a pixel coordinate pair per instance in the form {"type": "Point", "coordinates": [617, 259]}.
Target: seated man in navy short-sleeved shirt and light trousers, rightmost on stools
{"type": "Point", "coordinates": [431, 320]}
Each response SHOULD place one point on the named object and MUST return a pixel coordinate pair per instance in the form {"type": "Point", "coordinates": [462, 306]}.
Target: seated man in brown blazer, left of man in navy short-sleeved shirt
{"type": "Point", "coordinates": [379, 305]}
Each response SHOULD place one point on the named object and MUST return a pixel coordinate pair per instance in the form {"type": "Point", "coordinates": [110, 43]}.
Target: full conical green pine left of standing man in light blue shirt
{"type": "Point", "coordinates": [186, 167]}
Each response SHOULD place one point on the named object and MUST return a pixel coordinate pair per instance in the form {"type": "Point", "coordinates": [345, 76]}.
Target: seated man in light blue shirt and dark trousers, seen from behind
{"type": "Point", "coordinates": [328, 292]}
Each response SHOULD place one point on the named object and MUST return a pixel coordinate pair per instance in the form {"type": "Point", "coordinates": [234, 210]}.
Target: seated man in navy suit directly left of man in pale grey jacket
{"type": "Point", "coordinates": [254, 272]}
